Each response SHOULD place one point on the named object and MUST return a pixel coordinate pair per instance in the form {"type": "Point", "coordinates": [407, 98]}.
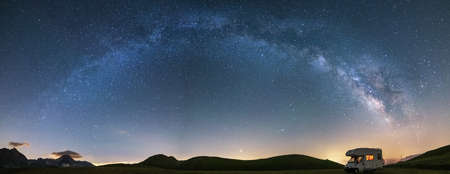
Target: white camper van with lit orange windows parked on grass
{"type": "Point", "coordinates": [363, 160]}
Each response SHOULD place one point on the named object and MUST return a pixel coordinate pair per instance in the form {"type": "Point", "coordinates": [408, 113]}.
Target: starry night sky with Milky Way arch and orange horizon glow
{"type": "Point", "coordinates": [119, 81]}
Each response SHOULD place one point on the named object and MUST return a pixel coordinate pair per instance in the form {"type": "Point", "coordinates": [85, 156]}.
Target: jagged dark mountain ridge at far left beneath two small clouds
{"type": "Point", "coordinates": [14, 159]}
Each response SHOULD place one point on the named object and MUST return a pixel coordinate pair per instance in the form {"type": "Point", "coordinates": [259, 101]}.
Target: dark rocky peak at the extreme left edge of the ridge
{"type": "Point", "coordinates": [12, 158]}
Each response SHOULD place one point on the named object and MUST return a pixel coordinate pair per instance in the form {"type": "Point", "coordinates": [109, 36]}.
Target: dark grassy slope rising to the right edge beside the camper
{"type": "Point", "coordinates": [434, 159]}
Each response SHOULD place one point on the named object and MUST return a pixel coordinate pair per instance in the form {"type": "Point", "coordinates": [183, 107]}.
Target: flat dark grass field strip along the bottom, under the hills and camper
{"type": "Point", "coordinates": [136, 170]}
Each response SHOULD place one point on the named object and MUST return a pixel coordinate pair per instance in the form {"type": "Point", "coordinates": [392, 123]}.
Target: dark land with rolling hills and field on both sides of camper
{"type": "Point", "coordinates": [432, 162]}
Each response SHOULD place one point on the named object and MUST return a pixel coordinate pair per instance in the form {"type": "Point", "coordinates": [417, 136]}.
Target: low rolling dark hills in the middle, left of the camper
{"type": "Point", "coordinates": [284, 162]}
